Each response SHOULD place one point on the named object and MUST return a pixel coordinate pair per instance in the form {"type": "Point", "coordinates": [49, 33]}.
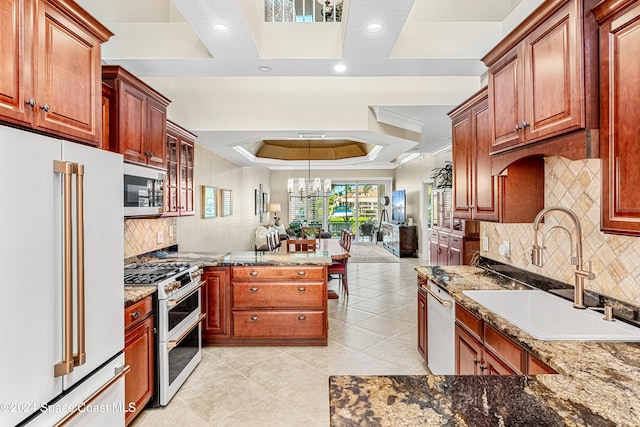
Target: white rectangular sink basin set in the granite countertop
{"type": "Point", "coordinates": [548, 317]}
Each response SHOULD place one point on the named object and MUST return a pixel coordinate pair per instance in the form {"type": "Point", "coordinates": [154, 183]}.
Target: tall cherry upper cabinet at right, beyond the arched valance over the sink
{"type": "Point", "coordinates": [478, 194]}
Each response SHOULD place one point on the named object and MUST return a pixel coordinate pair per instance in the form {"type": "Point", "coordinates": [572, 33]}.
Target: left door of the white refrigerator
{"type": "Point", "coordinates": [30, 276]}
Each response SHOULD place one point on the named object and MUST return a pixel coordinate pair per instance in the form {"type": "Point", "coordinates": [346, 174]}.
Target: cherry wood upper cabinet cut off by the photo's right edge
{"type": "Point", "coordinates": [620, 114]}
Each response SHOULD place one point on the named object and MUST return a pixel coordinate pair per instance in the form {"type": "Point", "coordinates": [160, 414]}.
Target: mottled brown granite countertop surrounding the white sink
{"type": "Point", "coordinates": [598, 383]}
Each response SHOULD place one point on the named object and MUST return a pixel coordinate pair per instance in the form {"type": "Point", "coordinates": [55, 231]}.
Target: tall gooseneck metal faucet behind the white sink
{"type": "Point", "coordinates": [537, 251]}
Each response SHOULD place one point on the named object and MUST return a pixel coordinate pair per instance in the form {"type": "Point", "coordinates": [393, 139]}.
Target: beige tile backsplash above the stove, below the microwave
{"type": "Point", "coordinates": [141, 235]}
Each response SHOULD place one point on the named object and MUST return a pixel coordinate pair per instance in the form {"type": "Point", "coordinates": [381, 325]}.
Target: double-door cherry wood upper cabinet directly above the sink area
{"type": "Point", "coordinates": [543, 78]}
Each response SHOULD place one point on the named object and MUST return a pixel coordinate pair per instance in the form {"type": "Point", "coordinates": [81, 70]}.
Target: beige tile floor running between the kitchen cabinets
{"type": "Point", "coordinates": [373, 333]}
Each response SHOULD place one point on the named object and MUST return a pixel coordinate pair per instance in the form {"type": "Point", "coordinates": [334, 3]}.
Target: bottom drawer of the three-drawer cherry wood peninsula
{"type": "Point", "coordinates": [278, 324]}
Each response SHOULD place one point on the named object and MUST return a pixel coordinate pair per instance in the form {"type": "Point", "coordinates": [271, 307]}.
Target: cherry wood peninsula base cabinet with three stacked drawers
{"type": "Point", "coordinates": [265, 305]}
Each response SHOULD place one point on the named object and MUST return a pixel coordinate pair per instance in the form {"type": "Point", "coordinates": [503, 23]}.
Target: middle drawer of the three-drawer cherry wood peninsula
{"type": "Point", "coordinates": [278, 295]}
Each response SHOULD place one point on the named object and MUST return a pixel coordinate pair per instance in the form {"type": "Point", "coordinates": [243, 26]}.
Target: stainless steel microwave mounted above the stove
{"type": "Point", "coordinates": [143, 190]}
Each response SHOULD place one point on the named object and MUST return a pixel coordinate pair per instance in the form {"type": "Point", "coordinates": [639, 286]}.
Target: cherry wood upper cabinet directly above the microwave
{"type": "Point", "coordinates": [138, 119]}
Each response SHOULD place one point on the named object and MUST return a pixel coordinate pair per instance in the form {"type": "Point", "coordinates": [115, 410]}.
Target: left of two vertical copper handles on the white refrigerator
{"type": "Point", "coordinates": [66, 365]}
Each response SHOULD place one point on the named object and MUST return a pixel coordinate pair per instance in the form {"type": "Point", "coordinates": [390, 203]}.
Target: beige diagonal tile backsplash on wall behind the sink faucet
{"type": "Point", "coordinates": [575, 185]}
